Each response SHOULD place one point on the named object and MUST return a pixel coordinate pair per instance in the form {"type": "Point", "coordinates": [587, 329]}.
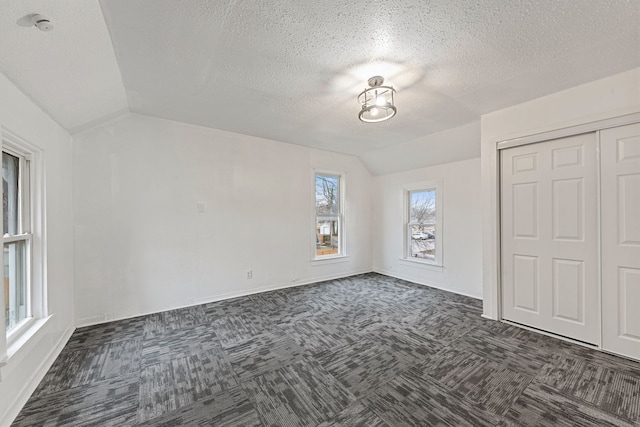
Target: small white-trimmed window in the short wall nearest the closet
{"type": "Point", "coordinates": [423, 225]}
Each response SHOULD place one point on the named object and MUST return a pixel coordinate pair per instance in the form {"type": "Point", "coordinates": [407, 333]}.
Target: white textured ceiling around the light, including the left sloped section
{"type": "Point", "coordinates": [290, 70]}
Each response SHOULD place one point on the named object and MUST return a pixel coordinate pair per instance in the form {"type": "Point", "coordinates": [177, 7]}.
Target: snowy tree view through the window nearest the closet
{"type": "Point", "coordinates": [422, 224]}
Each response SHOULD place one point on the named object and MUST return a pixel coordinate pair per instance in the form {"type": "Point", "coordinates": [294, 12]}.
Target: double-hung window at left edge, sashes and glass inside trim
{"type": "Point", "coordinates": [17, 237]}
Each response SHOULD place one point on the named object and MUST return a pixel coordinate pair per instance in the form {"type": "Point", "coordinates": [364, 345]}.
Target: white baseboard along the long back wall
{"type": "Point", "coordinates": [221, 297]}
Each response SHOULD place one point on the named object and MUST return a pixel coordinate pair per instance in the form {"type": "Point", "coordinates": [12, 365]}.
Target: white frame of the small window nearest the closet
{"type": "Point", "coordinates": [436, 186]}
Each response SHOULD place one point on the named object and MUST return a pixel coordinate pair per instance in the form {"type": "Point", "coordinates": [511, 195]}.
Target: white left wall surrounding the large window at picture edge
{"type": "Point", "coordinates": [26, 366]}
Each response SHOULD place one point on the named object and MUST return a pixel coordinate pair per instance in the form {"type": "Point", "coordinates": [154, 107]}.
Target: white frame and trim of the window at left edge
{"type": "Point", "coordinates": [32, 226]}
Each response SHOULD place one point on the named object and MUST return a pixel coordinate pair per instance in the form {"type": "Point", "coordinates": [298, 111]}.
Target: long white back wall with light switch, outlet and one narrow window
{"type": "Point", "coordinates": [142, 247]}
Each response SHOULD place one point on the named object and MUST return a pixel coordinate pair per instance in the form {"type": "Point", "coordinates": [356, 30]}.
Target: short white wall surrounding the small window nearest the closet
{"type": "Point", "coordinates": [462, 238]}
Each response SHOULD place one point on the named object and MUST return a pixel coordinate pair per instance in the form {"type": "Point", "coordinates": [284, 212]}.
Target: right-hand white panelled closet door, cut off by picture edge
{"type": "Point", "coordinates": [620, 169]}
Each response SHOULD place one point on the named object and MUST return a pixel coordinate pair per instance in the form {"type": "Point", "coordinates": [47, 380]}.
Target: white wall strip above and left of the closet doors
{"type": "Point", "coordinates": [610, 97]}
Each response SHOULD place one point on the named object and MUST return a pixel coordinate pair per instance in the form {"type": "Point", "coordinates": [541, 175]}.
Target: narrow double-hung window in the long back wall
{"type": "Point", "coordinates": [328, 215]}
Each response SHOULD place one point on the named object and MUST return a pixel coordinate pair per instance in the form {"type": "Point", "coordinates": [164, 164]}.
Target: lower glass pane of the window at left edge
{"type": "Point", "coordinates": [15, 283]}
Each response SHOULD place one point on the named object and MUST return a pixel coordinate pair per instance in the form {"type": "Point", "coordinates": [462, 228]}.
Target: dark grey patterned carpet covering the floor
{"type": "Point", "coordinates": [367, 350]}
